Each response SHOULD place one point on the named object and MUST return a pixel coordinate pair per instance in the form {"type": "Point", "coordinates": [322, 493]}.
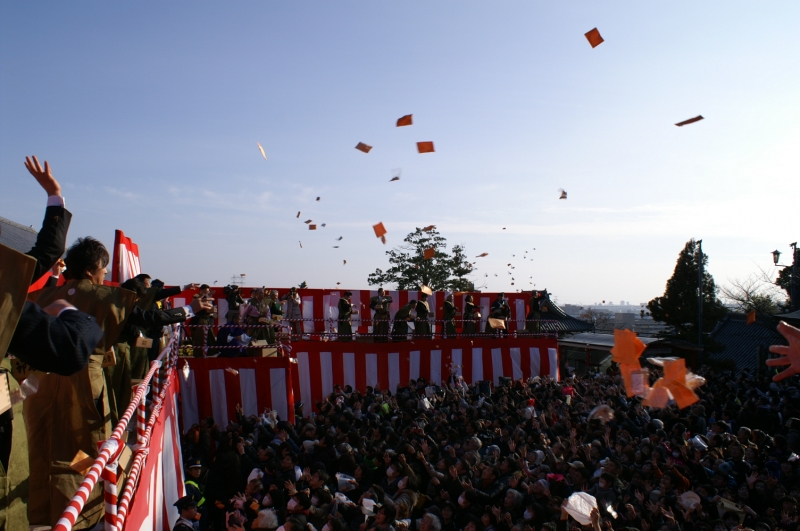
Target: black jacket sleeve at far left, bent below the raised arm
{"type": "Point", "coordinates": [55, 344]}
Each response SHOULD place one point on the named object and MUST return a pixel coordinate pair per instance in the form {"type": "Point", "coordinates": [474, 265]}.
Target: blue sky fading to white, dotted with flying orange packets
{"type": "Point", "coordinates": [149, 113]}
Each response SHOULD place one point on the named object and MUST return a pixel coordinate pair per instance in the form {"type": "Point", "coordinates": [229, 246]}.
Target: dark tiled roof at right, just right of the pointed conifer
{"type": "Point", "coordinates": [746, 344]}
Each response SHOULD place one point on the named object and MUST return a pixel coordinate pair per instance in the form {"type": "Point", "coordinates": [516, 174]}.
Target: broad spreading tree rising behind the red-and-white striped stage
{"type": "Point", "coordinates": [410, 270]}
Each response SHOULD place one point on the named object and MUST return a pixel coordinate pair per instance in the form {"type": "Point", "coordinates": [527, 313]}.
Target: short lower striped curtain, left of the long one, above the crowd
{"type": "Point", "coordinates": [211, 387]}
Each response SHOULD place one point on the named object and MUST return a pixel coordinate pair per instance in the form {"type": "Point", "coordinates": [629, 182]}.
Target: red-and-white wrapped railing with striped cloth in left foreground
{"type": "Point", "coordinates": [156, 474]}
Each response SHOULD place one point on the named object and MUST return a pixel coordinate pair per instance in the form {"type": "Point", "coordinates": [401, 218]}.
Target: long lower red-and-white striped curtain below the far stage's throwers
{"type": "Point", "coordinates": [321, 365]}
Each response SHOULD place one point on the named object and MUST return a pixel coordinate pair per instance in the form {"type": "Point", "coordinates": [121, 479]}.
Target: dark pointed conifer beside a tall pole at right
{"type": "Point", "coordinates": [678, 306]}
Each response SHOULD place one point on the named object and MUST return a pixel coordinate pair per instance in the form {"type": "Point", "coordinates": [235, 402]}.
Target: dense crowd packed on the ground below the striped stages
{"type": "Point", "coordinates": [512, 458]}
